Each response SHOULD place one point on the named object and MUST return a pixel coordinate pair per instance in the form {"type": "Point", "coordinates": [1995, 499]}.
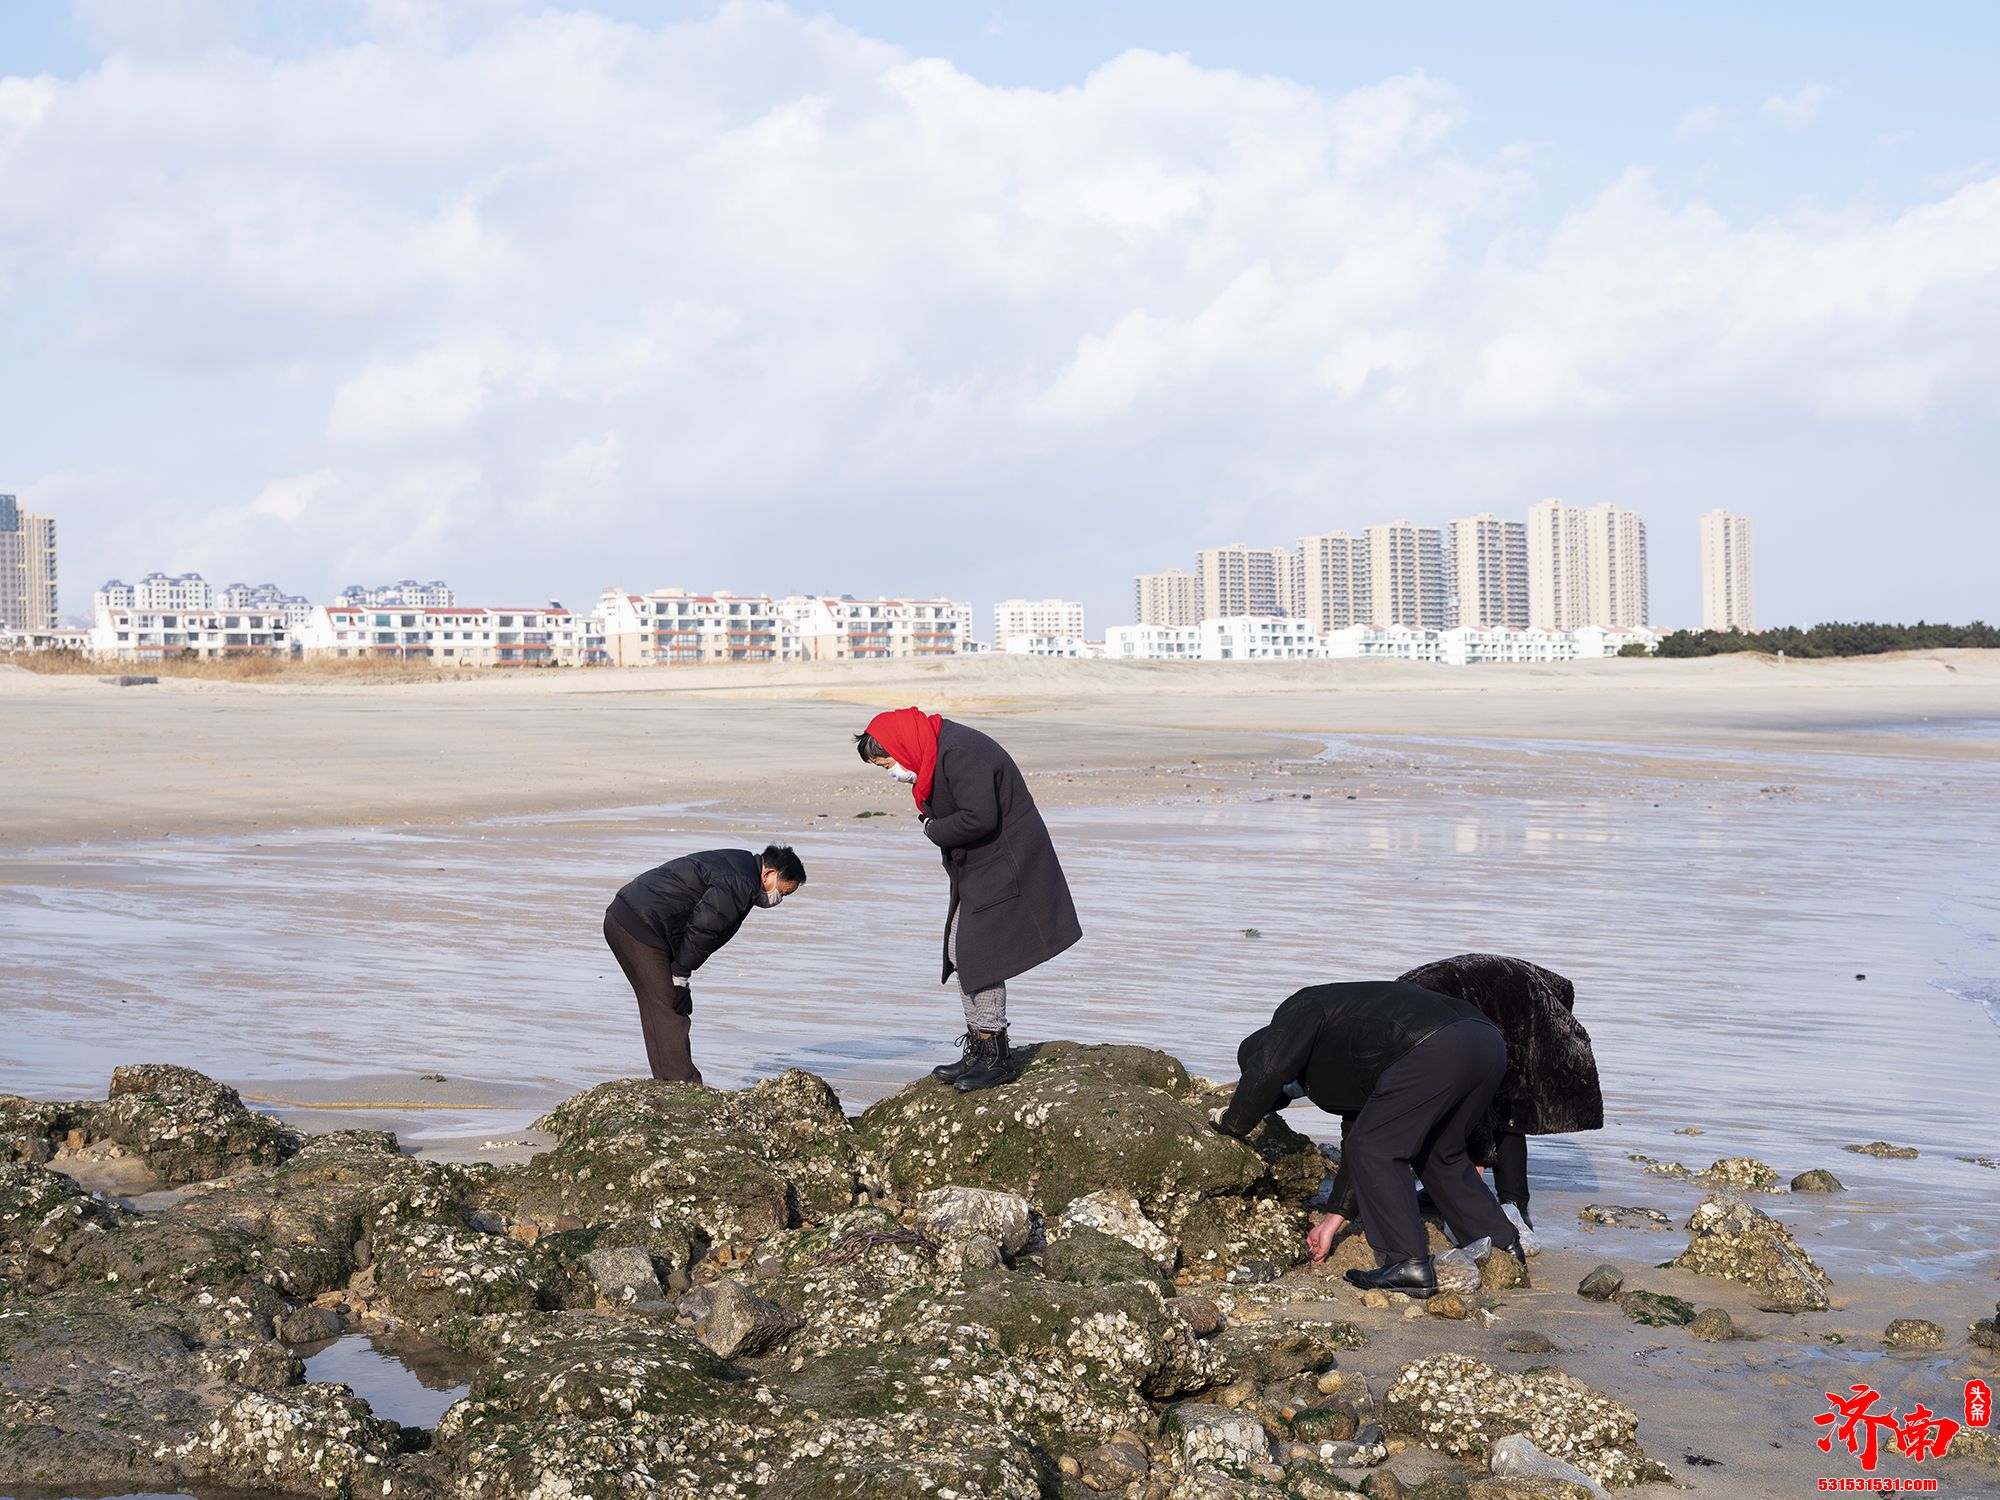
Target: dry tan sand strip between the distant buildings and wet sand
{"type": "Point", "coordinates": [97, 765]}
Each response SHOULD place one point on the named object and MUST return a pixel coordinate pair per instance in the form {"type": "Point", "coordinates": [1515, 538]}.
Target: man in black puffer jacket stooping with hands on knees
{"type": "Point", "coordinates": [667, 923]}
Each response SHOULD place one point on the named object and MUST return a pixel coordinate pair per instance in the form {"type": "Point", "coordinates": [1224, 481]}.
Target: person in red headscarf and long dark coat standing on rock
{"type": "Point", "coordinates": [1011, 903]}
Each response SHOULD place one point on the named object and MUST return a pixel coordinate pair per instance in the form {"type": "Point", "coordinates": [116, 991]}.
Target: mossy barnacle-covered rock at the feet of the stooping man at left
{"type": "Point", "coordinates": [741, 1165]}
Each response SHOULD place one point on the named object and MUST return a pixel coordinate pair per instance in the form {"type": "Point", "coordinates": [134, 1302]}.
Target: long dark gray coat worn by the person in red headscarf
{"type": "Point", "coordinates": [1009, 893]}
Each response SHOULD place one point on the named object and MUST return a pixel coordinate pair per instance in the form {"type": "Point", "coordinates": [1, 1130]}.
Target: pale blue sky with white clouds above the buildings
{"type": "Point", "coordinates": [995, 299]}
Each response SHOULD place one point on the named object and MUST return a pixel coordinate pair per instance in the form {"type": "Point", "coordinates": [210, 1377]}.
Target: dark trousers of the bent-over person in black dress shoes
{"type": "Point", "coordinates": [1415, 1125]}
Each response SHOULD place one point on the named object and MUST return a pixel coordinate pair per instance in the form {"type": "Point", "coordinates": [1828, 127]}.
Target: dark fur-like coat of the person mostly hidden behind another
{"type": "Point", "coordinates": [1551, 1081]}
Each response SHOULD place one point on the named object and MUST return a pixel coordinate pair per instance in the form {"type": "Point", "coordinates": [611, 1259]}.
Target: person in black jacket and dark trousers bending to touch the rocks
{"type": "Point", "coordinates": [1411, 1075]}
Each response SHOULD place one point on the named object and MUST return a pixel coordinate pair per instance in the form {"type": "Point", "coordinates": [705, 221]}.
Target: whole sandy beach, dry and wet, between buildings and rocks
{"type": "Point", "coordinates": [1771, 883]}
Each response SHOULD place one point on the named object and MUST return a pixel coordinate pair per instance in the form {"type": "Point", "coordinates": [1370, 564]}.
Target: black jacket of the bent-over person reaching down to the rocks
{"type": "Point", "coordinates": [1335, 1041]}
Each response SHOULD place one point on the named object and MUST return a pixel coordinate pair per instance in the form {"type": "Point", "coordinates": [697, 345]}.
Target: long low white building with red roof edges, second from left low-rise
{"type": "Point", "coordinates": [459, 635]}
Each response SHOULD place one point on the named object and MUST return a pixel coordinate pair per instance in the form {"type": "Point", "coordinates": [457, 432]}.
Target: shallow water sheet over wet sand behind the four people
{"type": "Point", "coordinates": [1715, 929]}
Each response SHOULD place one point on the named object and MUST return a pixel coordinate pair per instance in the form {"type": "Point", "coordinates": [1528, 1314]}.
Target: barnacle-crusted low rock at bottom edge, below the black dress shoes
{"type": "Point", "coordinates": [1461, 1407]}
